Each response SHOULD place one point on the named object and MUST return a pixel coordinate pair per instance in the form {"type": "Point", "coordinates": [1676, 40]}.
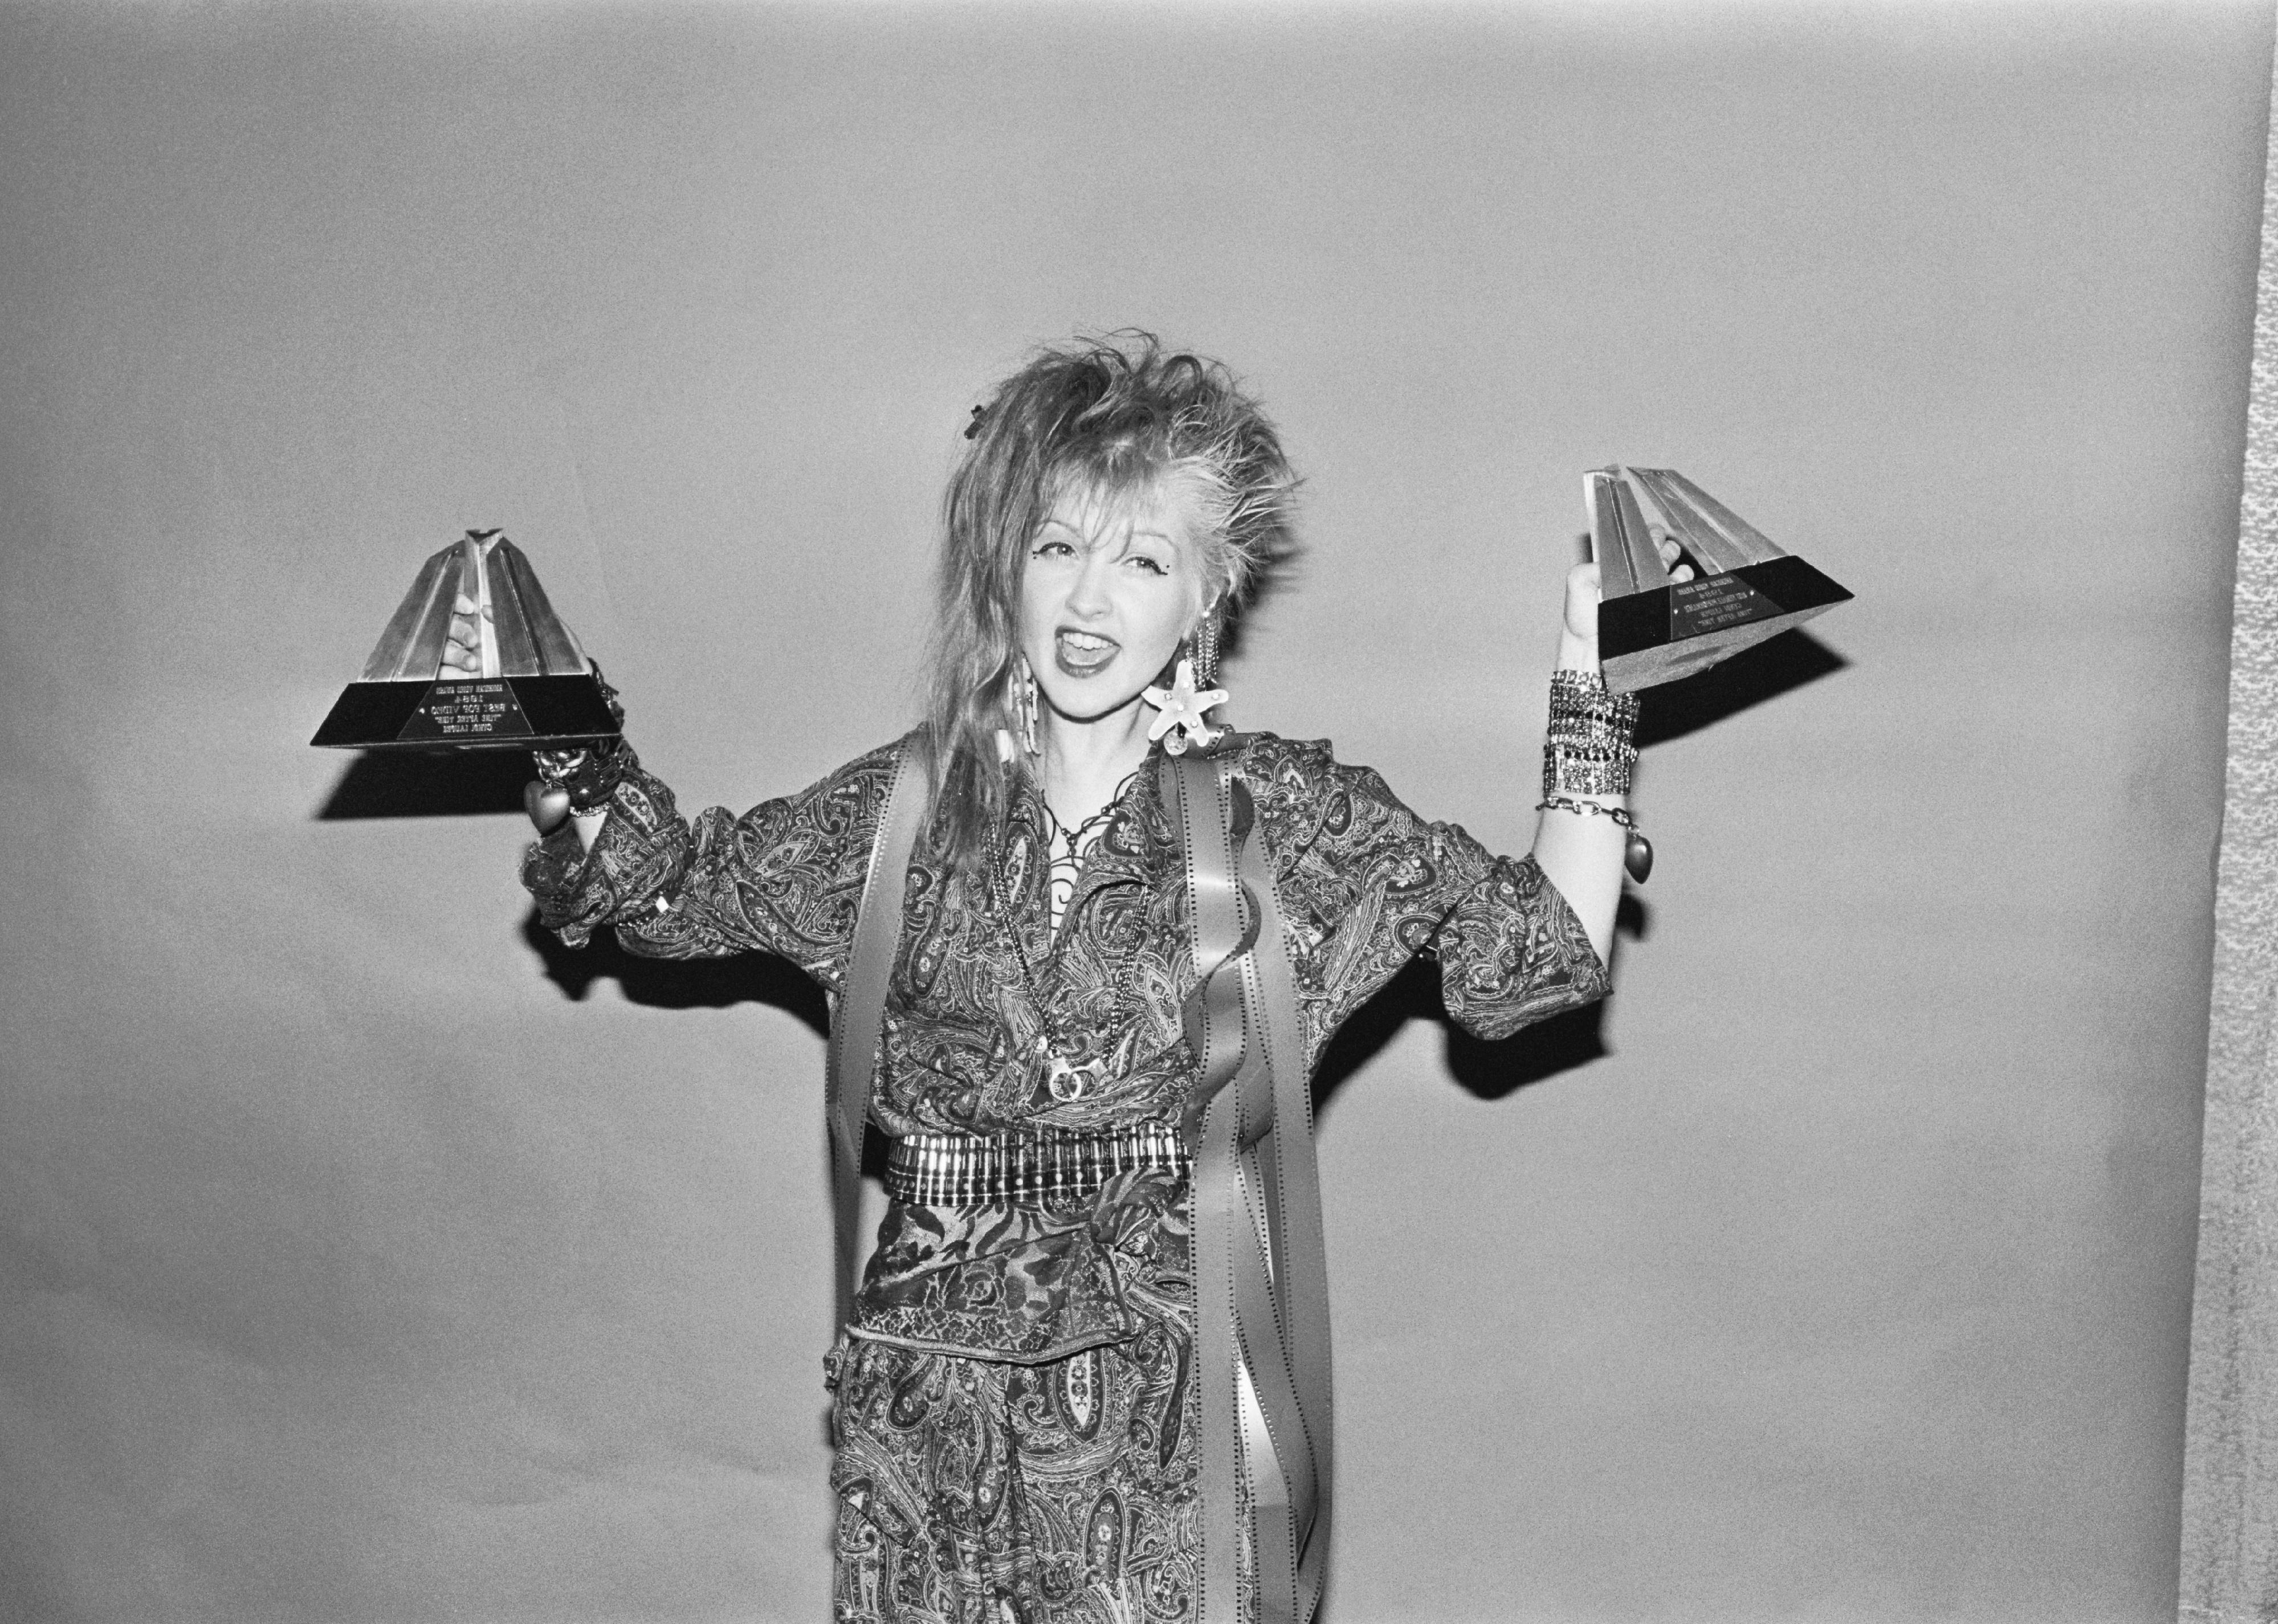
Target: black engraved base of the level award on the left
{"type": "Point", "coordinates": [470, 714]}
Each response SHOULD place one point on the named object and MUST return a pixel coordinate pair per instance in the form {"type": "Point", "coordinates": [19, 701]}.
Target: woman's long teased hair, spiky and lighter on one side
{"type": "Point", "coordinates": [1117, 418]}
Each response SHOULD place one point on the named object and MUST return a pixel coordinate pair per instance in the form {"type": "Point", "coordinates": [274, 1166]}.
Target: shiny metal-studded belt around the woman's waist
{"type": "Point", "coordinates": [1026, 1170]}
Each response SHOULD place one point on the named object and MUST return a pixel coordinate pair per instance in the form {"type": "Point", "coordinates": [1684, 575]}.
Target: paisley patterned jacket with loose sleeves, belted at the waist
{"type": "Point", "coordinates": [1363, 887]}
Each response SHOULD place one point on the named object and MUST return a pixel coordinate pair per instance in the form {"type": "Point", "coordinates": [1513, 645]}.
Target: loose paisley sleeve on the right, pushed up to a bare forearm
{"type": "Point", "coordinates": [1368, 885]}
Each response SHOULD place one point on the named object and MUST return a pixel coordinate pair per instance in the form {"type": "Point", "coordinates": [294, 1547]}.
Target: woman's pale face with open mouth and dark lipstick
{"type": "Point", "coordinates": [1106, 596]}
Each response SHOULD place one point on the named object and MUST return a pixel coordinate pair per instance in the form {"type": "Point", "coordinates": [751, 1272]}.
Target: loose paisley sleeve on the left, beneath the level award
{"type": "Point", "coordinates": [782, 878]}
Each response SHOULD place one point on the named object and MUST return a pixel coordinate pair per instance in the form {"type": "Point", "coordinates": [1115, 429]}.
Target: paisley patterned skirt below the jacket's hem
{"type": "Point", "coordinates": [992, 1493]}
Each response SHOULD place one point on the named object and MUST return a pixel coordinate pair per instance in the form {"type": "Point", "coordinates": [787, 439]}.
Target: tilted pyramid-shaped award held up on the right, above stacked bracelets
{"type": "Point", "coordinates": [1744, 589]}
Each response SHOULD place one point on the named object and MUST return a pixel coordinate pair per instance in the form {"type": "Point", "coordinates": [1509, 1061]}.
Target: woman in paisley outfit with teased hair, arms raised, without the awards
{"type": "Point", "coordinates": [1026, 1409]}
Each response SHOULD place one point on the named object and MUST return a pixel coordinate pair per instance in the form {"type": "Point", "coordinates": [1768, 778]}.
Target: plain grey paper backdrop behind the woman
{"type": "Point", "coordinates": [363, 1256]}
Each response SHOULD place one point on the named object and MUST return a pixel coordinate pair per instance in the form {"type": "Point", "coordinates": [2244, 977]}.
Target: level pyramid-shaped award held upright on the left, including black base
{"type": "Point", "coordinates": [536, 689]}
